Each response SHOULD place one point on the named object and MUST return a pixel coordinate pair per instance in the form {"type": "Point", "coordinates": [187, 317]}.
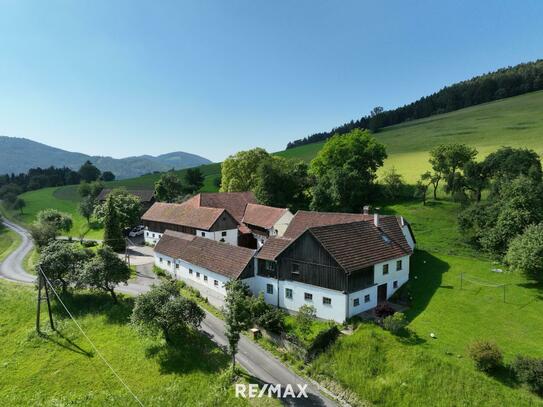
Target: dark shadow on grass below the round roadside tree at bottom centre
{"type": "Point", "coordinates": [187, 352]}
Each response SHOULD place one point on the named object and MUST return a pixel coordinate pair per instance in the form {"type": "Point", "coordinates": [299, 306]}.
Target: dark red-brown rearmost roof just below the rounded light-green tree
{"type": "Point", "coordinates": [233, 202]}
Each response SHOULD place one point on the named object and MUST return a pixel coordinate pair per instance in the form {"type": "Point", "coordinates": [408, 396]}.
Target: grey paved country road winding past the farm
{"type": "Point", "coordinates": [259, 363]}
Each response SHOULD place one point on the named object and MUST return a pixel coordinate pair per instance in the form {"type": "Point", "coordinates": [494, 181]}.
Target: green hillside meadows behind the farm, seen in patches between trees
{"type": "Point", "coordinates": [516, 122]}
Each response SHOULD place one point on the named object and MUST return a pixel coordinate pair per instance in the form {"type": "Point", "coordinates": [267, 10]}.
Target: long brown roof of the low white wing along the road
{"type": "Point", "coordinates": [221, 258]}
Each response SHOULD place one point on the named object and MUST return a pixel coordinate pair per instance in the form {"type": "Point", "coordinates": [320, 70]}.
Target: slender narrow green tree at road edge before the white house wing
{"type": "Point", "coordinates": [237, 315]}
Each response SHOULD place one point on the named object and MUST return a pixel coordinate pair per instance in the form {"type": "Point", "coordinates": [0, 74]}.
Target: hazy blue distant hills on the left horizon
{"type": "Point", "coordinates": [19, 154]}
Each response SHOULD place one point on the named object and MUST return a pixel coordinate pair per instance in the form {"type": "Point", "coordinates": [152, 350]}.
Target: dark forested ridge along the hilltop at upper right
{"type": "Point", "coordinates": [503, 83]}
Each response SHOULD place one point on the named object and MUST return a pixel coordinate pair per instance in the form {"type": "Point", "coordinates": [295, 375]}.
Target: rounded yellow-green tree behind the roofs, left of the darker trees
{"type": "Point", "coordinates": [239, 171]}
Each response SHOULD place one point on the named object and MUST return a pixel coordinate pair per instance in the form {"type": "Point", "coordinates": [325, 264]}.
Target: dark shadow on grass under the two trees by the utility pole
{"type": "Point", "coordinates": [86, 303]}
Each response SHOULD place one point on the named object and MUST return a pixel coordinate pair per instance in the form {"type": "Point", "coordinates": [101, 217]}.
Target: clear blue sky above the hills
{"type": "Point", "coordinates": [126, 78]}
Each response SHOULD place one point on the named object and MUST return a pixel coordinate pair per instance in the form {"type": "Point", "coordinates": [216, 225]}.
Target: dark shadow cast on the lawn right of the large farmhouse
{"type": "Point", "coordinates": [425, 277]}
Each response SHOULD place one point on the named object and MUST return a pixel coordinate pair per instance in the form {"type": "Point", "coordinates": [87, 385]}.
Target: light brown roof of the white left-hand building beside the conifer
{"type": "Point", "coordinates": [184, 215]}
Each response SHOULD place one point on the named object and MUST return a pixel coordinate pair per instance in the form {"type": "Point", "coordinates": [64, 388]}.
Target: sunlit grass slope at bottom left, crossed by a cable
{"type": "Point", "coordinates": [62, 369]}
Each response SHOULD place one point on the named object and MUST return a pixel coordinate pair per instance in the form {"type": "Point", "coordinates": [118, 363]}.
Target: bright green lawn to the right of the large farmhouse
{"type": "Point", "coordinates": [419, 370]}
